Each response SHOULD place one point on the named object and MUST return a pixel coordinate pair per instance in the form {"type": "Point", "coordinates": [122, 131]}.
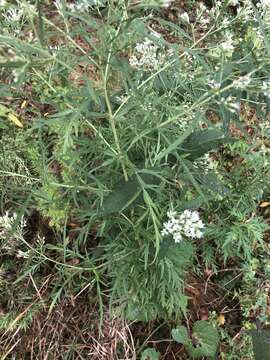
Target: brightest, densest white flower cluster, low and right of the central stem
{"type": "Point", "coordinates": [188, 224]}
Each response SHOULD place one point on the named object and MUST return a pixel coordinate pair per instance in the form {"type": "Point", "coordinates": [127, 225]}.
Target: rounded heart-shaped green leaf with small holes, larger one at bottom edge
{"type": "Point", "coordinates": [205, 340]}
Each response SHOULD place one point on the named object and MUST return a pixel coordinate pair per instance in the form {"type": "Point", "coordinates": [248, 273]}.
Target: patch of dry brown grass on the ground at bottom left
{"type": "Point", "coordinates": [71, 331]}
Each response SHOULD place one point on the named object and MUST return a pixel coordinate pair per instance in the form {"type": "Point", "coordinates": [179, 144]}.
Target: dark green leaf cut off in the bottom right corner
{"type": "Point", "coordinates": [261, 344]}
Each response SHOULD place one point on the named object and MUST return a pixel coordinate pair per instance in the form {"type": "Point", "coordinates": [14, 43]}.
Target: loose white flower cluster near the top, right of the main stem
{"type": "Point", "coordinates": [147, 56]}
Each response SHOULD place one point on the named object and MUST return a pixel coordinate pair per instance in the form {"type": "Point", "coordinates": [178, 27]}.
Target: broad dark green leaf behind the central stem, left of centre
{"type": "Point", "coordinates": [128, 193]}
